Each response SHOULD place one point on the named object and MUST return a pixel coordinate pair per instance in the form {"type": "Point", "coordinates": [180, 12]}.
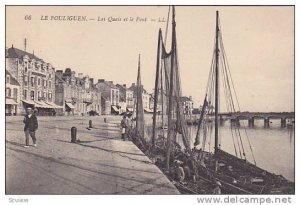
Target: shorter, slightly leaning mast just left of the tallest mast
{"type": "Point", "coordinates": [156, 89]}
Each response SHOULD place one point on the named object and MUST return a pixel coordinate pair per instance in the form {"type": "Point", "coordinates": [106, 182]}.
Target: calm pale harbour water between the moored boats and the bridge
{"type": "Point", "coordinates": [272, 147]}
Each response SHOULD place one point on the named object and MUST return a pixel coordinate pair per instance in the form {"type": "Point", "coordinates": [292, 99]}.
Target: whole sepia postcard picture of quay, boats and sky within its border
{"type": "Point", "coordinates": [150, 100]}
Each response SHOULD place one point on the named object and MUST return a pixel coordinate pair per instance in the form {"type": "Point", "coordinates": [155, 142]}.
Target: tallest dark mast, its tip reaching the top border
{"type": "Point", "coordinates": [170, 109]}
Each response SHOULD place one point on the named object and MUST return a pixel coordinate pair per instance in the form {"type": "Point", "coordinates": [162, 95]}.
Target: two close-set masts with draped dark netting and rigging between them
{"type": "Point", "coordinates": [168, 80]}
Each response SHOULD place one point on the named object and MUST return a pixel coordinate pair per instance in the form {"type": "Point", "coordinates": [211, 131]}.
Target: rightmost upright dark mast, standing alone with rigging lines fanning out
{"type": "Point", "coordinates": [217, 89]}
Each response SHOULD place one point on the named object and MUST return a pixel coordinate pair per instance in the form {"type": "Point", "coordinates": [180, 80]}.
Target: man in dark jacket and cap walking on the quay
{"type": "Point", "coordinates": [31, 125]}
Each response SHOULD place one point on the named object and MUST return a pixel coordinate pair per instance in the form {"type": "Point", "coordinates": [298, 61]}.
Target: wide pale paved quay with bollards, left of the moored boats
{"type": "Point", "coordinates": [100, 164]}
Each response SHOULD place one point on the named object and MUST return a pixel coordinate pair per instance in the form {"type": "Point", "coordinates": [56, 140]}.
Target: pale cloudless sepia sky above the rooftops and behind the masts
{"type": "Point", "coordinates": [259, 43]}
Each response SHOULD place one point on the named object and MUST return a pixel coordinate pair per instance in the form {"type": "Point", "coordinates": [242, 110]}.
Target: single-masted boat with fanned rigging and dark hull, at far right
{"type": "Point", "coordinates": [236, 174]}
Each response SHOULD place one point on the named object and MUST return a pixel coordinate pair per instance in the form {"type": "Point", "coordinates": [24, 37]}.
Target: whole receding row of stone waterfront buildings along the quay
{"type": "Point", "coordinates": [32, 82]}
